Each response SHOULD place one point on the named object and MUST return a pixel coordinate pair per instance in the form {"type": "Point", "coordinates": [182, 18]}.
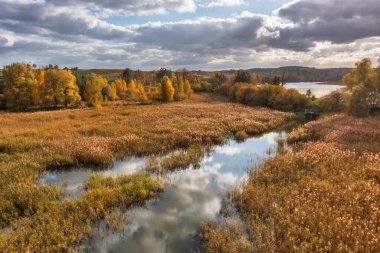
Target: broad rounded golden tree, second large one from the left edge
{"type": "Point", "coordinates": [60, 88]}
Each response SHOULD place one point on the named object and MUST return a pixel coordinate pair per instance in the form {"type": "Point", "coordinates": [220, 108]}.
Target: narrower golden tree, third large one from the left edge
{"type": "Point", "coordinates": [93, 90]}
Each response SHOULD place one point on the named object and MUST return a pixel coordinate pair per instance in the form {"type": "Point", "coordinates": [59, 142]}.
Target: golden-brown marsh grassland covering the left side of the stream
{"type": "Point", "coordinates": [34, 216]}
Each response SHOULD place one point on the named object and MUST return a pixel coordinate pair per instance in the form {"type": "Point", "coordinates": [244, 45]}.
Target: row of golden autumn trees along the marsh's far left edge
{"type": "Point", "coordinates": [25, 86]}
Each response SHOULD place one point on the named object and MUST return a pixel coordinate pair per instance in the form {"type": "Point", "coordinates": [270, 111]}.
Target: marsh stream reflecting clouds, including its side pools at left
{"type": "Point", "coordinates": [190, 196]}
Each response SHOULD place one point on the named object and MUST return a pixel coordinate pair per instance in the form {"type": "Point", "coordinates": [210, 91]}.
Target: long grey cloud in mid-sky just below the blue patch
{"type": "Point", "coordinates": [203, 35]}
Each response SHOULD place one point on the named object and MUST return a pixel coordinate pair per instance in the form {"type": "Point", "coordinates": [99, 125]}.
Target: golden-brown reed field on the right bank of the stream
{"type": "Point", "coordinates": [322, 197]}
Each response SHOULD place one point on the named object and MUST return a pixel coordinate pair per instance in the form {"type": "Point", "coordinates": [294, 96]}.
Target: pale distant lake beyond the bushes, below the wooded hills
{"type": "Point", "coordinates": [317, 89]}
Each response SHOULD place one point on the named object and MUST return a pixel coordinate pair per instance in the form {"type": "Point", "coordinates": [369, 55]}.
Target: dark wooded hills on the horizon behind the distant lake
{"type": "Point", "coordinates": [297, 74]}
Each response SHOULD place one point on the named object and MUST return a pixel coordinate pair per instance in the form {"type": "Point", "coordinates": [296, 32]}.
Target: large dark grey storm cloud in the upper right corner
{"type": "Point", "coordinates": [336, 21]}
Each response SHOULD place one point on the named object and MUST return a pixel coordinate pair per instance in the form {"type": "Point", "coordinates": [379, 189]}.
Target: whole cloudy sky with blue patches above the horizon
{"type": "Point", "coordinates": [194, 34]}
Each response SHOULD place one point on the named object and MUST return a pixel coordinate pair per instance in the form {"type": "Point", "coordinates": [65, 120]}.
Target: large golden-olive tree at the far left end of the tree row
{"type": "Point", "coordinates": [20, 86]}
